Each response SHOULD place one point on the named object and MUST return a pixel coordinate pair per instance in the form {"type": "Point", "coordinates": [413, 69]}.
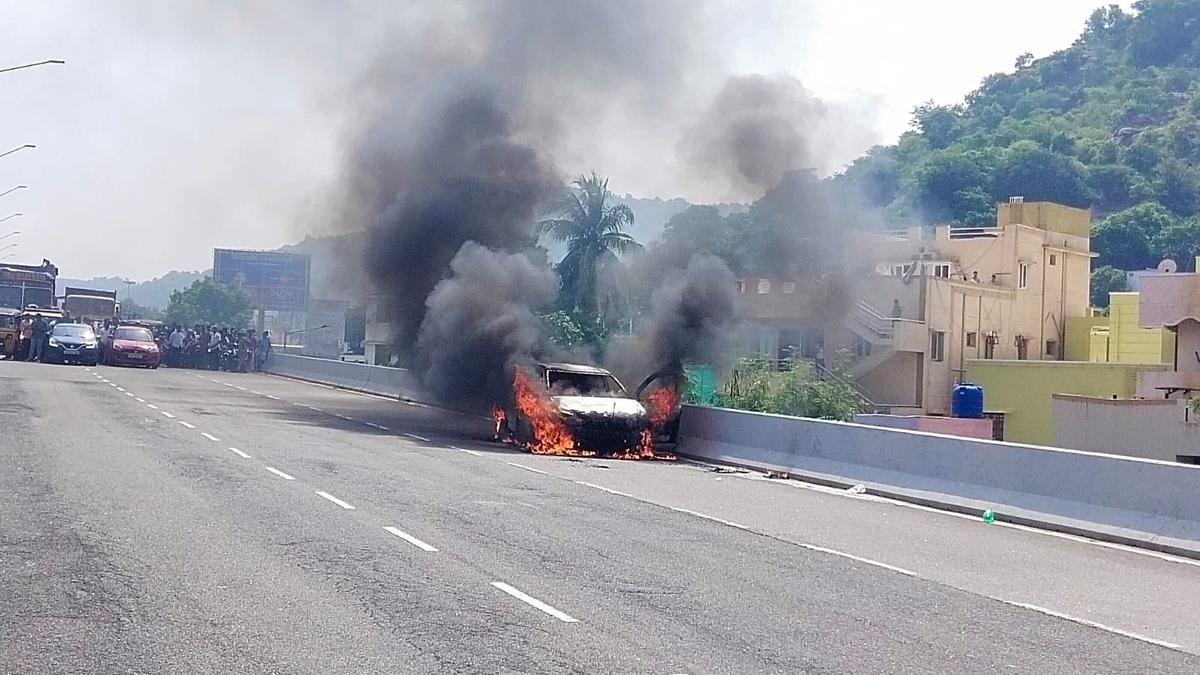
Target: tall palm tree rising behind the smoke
{"type": "Point", "coordinates": [593, 230]}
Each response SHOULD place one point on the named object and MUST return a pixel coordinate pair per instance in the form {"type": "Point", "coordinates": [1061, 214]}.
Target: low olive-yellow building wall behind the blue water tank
{"type": "Point", "coordinates": [1023, 392]}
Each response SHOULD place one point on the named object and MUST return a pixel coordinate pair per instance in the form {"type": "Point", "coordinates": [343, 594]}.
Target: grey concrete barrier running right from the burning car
{"type": "Point", "coordinates": [1135, 501]}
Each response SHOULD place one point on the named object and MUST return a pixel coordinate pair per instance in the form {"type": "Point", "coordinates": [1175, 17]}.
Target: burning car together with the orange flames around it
{"type": "Point", "coordinates": [583, 411]}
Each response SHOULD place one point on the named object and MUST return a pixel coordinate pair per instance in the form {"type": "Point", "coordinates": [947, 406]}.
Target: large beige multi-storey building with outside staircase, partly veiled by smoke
{"type": "Point", "coordinates": [922, 302]}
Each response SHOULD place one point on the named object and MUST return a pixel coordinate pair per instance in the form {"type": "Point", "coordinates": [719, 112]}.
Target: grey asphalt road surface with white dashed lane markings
{"type": "Point", "coordinates": [179, 522]}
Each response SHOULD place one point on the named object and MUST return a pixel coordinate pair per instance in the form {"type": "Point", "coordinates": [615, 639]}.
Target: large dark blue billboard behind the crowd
{"type": "Point", "coordinates": [277, 282]}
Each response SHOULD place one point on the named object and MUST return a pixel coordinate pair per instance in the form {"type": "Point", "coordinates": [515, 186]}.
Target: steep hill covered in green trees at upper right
{"type": "Point", "coordinates": [1112, 123]}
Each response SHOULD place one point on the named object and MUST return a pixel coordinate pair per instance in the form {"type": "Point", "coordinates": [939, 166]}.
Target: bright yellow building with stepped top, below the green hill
{"type": "Point", "coordinates": [1119, 338]}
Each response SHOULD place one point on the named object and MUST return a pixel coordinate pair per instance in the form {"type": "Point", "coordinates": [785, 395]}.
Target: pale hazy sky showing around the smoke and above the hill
{"type": "Point", "coordinates": [178, 127]}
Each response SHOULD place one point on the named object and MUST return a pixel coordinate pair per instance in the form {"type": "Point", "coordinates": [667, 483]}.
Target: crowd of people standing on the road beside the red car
{"type": "Point", "coordinates": [212, 348]}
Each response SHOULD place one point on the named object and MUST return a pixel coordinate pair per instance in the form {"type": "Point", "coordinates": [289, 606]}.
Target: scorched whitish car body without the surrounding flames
{"type": "Point", "coordinates": [602, 416]}
